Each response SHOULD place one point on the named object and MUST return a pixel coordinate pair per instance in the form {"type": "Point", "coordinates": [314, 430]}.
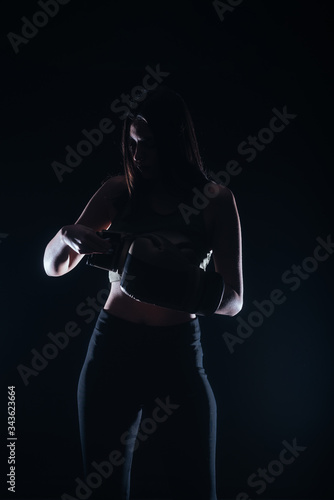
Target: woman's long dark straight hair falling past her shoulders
{"type": "Point", "coordinates": [170, 121]}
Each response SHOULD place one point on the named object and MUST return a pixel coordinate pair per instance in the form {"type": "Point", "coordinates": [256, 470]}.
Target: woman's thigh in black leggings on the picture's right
{"type": "Point", "coordinates": [186, 438]}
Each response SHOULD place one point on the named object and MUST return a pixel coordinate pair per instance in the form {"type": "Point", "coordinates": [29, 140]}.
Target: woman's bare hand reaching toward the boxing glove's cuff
{"type": "Point", "coordinates": [84, 240]}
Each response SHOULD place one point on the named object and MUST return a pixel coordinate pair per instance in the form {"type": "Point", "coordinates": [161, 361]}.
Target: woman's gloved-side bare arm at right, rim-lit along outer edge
{"type": "Point", "coordinates": [227, 250]}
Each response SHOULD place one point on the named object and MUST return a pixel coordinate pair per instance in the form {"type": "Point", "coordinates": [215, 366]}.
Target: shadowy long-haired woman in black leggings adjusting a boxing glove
{"type": "Point", "coordinates": [145, 356]}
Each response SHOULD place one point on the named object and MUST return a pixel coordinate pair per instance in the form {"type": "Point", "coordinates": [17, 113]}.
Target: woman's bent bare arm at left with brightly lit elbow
{"type": "Point", "coordinates": [72, 242]}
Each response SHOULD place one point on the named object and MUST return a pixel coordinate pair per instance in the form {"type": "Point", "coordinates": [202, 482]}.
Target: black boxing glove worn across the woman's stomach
{"type": "Point", "coordinates": [156, 272]}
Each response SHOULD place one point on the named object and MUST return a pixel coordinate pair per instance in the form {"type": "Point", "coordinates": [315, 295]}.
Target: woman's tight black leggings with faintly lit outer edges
{"type": "Point", "coordinates": [139, 383]}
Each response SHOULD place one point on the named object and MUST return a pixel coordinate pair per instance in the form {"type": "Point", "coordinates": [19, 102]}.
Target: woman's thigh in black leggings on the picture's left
{"type": "Point", "coordinates": [109, 416]}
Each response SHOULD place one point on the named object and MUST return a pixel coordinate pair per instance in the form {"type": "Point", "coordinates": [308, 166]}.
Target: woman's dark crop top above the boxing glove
{"type": "Point", "coordinates": [190, 236]}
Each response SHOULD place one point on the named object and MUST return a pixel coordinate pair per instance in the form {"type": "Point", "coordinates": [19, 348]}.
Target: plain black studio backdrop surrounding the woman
{"type": "Point", "coordinates": [275, 386]}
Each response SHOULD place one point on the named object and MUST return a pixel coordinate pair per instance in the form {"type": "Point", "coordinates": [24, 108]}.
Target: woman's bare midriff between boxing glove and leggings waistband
{"type": "Point", "coordinates": [121, 305]}
